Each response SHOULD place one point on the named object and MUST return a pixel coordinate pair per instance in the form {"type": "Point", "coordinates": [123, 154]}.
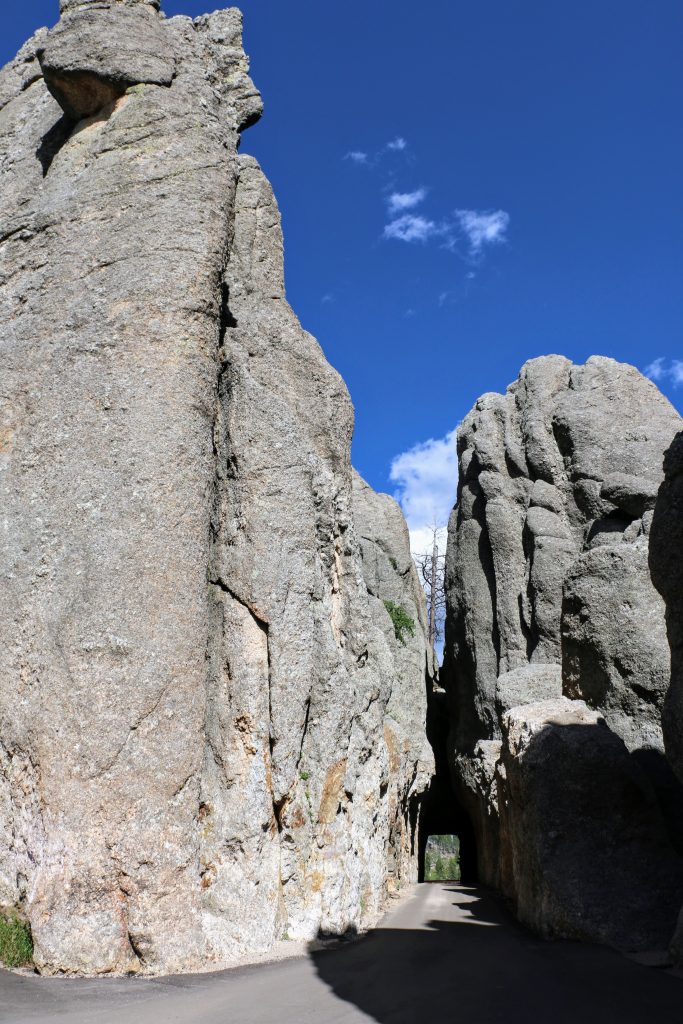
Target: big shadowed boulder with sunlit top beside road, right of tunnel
{"type": "Point", "coordinates": [588, 852]}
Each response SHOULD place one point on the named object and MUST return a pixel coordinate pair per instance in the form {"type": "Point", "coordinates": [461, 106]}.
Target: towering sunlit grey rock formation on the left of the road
{"type": "Point", "coordinates": [201, 737]}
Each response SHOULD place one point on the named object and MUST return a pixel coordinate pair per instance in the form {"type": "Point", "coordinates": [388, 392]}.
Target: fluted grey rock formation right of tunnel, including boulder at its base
{"type": "Point", "coordinates": [550, 600]}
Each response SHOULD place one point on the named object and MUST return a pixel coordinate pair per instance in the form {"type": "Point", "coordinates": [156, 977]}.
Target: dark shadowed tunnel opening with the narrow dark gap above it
{"type": "Point", "coordinates": [441, 813]}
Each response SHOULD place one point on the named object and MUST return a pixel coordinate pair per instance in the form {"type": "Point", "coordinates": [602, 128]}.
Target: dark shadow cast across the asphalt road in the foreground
{"type": "Point", "coordinates": [484, 968]}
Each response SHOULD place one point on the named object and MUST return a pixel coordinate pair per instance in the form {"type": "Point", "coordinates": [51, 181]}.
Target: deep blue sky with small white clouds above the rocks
{"type": "Point", "coordinates": [464, 187]}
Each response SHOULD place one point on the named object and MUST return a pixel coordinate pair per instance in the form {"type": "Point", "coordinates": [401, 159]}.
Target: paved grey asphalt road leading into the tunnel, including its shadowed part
{"type": "Point", "coordinates": [449, 954]}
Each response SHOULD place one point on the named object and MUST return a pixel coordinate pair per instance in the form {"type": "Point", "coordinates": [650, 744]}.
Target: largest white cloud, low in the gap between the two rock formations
{"type": "Point", "coordinates": [426, 479]}
